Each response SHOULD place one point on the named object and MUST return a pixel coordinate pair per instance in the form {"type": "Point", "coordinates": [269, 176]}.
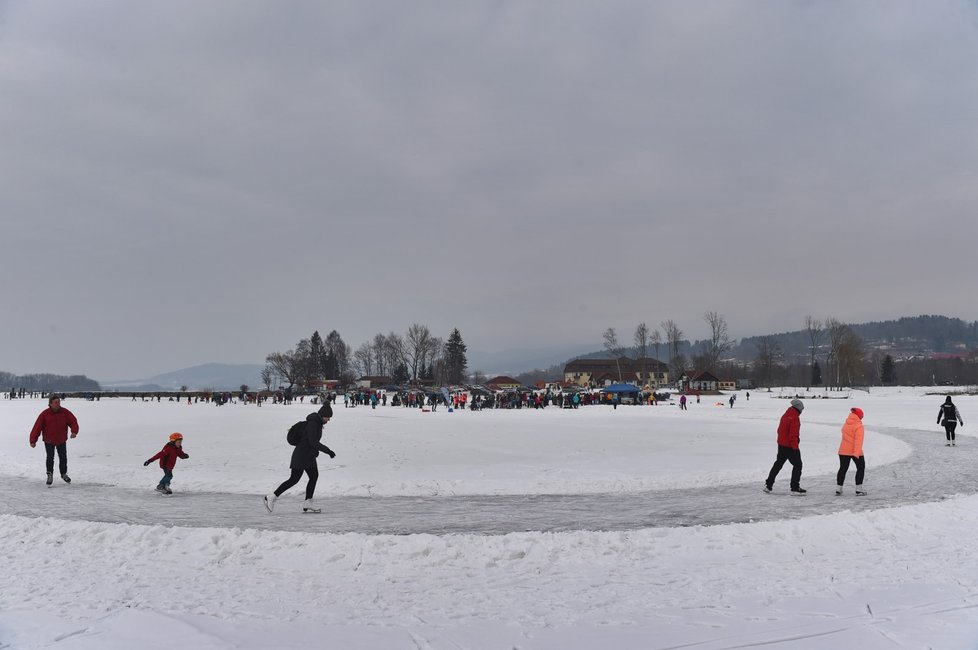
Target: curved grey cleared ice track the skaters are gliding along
{"type": "Point", "coordinates": [932, 472]}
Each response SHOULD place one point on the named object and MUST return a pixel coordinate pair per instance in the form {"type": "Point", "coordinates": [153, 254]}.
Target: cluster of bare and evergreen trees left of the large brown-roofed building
{"type": "Point", "coordinates": [415, 355]}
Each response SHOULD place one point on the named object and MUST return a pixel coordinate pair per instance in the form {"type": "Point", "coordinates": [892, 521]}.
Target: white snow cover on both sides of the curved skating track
{"type": "Point", "coordinates": [901, 577]}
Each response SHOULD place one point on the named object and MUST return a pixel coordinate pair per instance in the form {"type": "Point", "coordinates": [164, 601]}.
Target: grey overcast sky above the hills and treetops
{"type": "Point", "coordinates": [186, 182]}
